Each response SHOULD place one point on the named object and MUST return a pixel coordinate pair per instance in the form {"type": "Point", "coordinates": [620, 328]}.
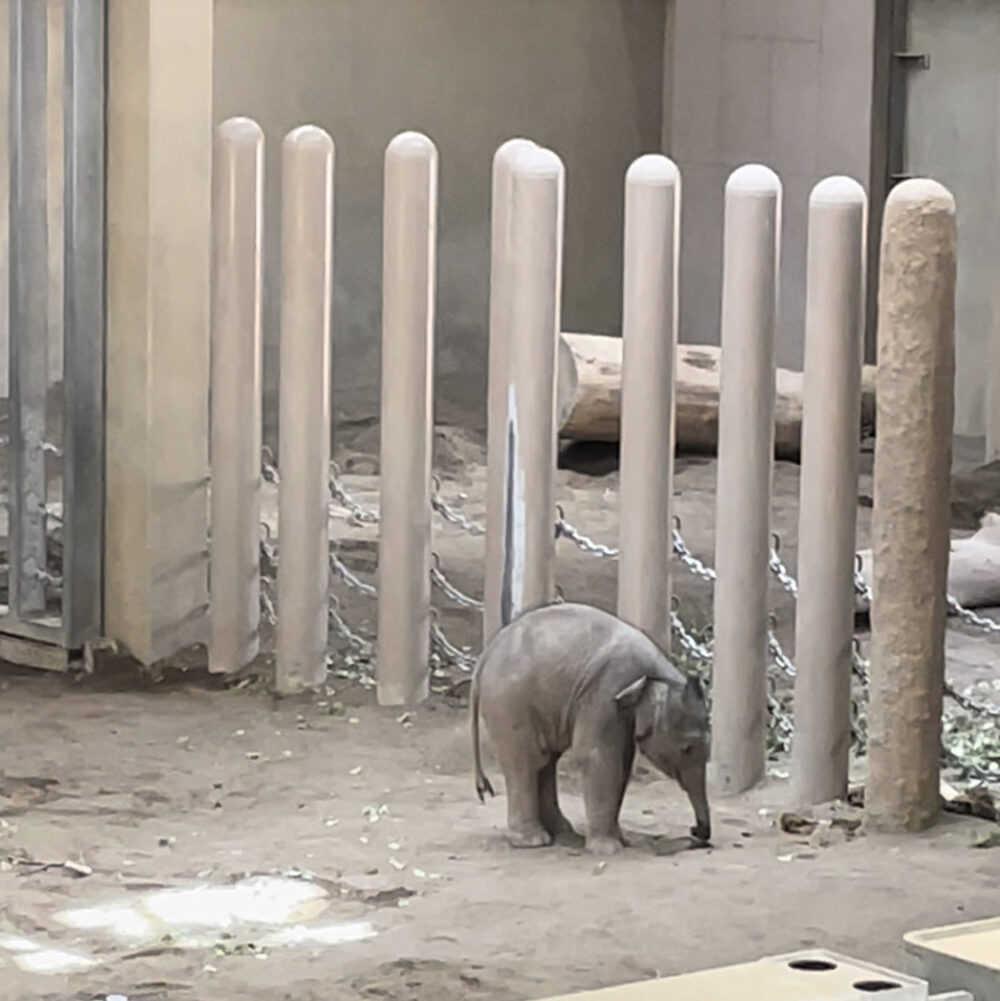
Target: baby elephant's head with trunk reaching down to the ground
{"type": "Point", "coordinates": [673, 731]}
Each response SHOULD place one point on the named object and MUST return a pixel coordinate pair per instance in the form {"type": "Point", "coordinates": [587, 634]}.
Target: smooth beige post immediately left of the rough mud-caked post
{"type": "Point", "coordinates": [824, 625]}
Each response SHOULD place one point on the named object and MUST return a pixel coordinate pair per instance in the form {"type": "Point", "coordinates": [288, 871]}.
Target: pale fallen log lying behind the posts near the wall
{"type": "Point", "coordinates": [590, 396]}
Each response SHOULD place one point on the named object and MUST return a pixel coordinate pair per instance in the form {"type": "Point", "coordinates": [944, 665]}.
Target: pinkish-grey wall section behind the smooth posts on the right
{"type": "Point", "coordinates": [784, 83]}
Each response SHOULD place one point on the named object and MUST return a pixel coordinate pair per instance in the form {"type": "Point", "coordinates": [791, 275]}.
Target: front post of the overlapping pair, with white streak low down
{"type": "Point", "coordinates": [534, 291]}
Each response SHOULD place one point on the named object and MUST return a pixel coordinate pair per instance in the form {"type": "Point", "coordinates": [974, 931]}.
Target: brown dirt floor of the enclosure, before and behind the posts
{"type": "Point", "coordinates": [148, 783]}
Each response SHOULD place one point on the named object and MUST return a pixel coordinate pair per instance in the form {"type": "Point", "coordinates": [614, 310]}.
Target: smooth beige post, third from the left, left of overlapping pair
{"type": "Point", "coordinates": [409, 274]}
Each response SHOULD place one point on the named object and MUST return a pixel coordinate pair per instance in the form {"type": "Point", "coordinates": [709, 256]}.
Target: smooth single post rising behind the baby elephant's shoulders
{"type": "Point", "coordinates": [649, 331]}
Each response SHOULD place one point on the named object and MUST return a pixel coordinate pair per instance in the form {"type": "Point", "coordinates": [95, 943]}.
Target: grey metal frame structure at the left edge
{"type": "Point", "coordinates": [27, 622]}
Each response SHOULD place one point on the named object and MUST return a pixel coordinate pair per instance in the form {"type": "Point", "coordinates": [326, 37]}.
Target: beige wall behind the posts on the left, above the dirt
{"type": "Point", "coordinates": [582, 77]}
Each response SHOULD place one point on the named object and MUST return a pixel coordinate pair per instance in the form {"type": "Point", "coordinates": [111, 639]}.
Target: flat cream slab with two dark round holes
{"type": "Point", "coordinates": [810, 975]}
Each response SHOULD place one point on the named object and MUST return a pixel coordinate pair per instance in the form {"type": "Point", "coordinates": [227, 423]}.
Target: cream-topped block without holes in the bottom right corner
{"type": "Point", "coordinates": [963, 957]}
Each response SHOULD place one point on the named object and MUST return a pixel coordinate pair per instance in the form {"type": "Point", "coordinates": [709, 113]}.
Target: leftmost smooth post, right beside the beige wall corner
{"type": "Point", "coordinates": [235, 571]}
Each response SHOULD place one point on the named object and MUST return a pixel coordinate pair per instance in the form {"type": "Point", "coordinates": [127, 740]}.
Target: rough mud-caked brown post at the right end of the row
{"type": "Point", "coordinates": [915, 398]}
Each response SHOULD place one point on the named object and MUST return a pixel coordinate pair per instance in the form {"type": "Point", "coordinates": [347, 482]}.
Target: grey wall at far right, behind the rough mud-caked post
{"type": "Point", "coordinates": [953, 135]}
